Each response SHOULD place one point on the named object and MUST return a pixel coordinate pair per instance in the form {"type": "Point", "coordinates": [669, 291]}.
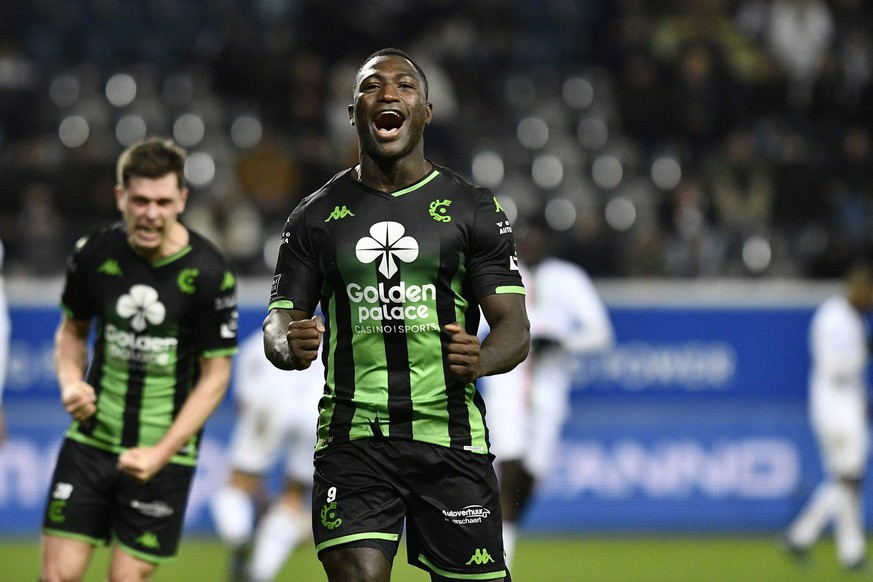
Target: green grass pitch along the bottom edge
{"type": "Point", "coordinates": [655, 558]}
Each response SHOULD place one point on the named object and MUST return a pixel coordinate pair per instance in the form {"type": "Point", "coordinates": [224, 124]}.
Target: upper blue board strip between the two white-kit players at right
{"type": "Point", "coordinates": [703, 351]}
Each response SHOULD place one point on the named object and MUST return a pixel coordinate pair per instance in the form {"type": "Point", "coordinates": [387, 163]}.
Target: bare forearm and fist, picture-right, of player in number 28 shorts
{"type": "Point", "coordinates": [143, 463]}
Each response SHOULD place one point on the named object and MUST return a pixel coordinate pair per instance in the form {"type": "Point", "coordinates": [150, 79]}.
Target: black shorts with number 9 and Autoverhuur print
{"type": "Point", "coordinates": [364, 489]}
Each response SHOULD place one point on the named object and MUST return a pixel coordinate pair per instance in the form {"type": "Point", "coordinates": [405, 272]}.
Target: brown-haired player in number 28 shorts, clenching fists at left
{"type": "Point", "coordinates": [162, 301]}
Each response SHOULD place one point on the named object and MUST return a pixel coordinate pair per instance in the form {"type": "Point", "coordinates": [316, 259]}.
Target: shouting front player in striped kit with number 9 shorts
{"type": "Point", "coordinates": [400, 253]}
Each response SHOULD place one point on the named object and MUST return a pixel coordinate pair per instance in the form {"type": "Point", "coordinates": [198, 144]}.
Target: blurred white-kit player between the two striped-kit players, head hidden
{"type": "Point", "coordinates": [278, 412]}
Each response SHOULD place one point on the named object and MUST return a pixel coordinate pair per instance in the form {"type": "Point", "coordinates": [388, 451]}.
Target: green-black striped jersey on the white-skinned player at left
{"type": "Point", "coordinates": [153, 322]}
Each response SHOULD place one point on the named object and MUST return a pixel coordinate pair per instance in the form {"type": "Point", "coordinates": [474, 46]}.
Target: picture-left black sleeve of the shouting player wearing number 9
{"type": "Point", "coordinates": [297, 280]}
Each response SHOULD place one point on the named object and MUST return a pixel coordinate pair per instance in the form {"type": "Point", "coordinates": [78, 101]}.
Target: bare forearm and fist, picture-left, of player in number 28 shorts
{"type": "Point", "coordinates": [71, 361]}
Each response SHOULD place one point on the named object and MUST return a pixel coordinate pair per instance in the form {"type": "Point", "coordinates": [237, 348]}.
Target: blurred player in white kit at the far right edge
{"type": "Point", "coordinates": [838, 341]}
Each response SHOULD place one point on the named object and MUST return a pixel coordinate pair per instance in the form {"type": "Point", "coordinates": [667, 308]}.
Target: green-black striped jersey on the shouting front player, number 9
{"type": "Point", "coordinates": [390, 270]}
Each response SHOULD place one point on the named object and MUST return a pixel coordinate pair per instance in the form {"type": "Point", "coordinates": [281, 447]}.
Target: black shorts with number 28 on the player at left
{"type": "Point", "coordinates": [91, 500]}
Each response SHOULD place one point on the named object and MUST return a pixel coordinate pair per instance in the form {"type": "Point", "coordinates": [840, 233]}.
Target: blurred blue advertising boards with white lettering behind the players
{"type": "Point", "coordinates": [695, 421]}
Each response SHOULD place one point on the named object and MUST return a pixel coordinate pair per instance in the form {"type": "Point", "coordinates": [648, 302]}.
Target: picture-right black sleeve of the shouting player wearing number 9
{"type": "Point", "coordinates": [492, 264]}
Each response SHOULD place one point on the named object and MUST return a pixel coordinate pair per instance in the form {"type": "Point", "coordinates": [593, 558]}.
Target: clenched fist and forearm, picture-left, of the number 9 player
{"type": "Point", "coordinates": [292, 338]}
